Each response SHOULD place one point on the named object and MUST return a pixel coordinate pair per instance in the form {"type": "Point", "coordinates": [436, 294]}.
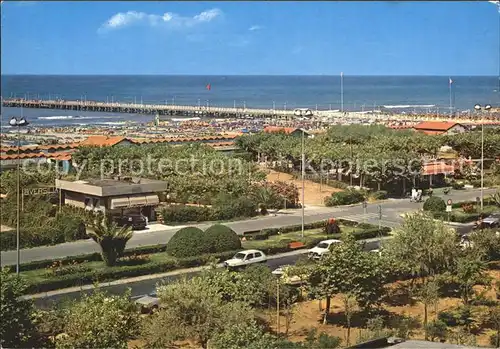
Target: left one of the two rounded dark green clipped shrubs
{"type": "Point", "coordinates": [188, 242]}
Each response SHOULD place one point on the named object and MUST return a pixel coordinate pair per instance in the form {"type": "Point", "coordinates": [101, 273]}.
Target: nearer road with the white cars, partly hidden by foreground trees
{"type": "Point", "coordinates": [144, 287]}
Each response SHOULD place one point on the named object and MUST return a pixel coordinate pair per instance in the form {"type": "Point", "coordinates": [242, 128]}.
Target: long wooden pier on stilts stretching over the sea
{"type": "Point", "coordinates": [132, 108]}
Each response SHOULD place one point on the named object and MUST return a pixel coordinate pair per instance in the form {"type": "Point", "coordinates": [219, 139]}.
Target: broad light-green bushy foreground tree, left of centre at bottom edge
{"type": "Point", "coordinates": [192, 309]}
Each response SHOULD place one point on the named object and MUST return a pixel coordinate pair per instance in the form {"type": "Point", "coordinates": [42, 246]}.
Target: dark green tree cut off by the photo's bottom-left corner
{"type": "Point", "coordinates": [16, 325]}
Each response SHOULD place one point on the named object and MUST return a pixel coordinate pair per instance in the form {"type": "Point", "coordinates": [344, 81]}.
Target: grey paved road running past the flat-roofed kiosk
{"type": "Point", "coordinates": [391, 211]}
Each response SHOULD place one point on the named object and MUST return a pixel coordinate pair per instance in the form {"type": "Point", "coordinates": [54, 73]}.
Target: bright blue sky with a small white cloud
{"type": "Point", "coordinates": [289, 38]}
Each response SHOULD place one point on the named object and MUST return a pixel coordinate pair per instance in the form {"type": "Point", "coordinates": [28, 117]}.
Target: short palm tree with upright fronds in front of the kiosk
{"type": "Point", "coordinates": [111, 238]}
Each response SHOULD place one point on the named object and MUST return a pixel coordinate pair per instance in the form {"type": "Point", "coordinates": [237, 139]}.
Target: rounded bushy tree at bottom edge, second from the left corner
{"type": "Point", "coordinates": [99, 320]}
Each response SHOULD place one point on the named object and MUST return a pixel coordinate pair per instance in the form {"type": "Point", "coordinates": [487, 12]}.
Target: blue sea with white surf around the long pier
{"type": "Point", "coordinates": [360, 93]}
